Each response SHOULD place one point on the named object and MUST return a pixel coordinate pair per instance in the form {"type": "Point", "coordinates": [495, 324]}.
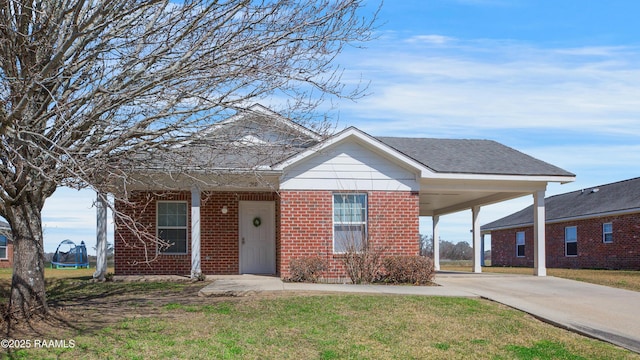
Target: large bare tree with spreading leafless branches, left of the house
{"type": "Point", "coordinates": [85, 84]}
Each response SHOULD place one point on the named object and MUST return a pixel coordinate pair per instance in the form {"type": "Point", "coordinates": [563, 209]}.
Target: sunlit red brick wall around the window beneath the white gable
{"type": "Point", "coordinates": [307, 226]}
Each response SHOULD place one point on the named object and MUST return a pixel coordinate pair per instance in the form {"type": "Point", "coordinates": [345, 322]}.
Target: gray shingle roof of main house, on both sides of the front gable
{"type": "Point", "coordinates": [259, 139]}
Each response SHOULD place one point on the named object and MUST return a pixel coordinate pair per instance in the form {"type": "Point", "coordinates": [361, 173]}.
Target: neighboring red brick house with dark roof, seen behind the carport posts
{"type": "Point", "coordinates": [598, 227]}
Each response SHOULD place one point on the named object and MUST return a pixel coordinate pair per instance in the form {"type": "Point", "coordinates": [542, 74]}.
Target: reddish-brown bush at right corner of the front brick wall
{"type": "Point", "coordinates": [408, 269]}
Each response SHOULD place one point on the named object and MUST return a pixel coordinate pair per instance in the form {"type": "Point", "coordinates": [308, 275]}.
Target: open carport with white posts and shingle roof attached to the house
{"type": "Point", "coordinates": [469, 174]}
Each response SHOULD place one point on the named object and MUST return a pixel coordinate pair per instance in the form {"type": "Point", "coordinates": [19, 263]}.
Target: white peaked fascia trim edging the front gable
{"type": "Point", "coordinates": [364, 139]}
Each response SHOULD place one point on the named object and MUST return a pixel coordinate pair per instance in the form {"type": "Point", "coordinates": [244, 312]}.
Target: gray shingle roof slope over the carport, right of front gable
{"type": "Point", "coordinates": [471, 157]}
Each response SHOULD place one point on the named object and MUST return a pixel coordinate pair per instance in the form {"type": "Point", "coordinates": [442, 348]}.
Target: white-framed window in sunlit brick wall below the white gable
{"type": "Point", "coordinates": [349, 222]}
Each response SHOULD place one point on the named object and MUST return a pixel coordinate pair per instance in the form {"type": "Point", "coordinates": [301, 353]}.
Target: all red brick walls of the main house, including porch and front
{"type": "Point", "coordinates": [305, 229]}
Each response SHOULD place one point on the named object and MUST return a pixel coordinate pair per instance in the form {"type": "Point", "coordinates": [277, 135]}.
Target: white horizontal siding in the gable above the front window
{"type": "Point", "coordinates": [348, 166]}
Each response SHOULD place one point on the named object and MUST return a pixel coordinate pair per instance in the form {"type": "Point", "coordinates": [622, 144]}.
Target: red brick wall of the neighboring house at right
{"type": "Point", "coordinates": [622, 253]}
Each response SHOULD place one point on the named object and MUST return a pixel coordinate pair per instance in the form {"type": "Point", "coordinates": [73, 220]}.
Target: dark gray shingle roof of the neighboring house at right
{"type": "Point", "coordinates": [591, 202]}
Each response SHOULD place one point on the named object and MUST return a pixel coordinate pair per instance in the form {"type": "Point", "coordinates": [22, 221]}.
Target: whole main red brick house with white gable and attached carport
{"type": "Point", "coordinates": [242, 209]}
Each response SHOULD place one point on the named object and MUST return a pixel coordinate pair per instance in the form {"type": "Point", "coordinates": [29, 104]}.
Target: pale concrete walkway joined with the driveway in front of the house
{"type": "Point", "coordinates": [601, 312]}
